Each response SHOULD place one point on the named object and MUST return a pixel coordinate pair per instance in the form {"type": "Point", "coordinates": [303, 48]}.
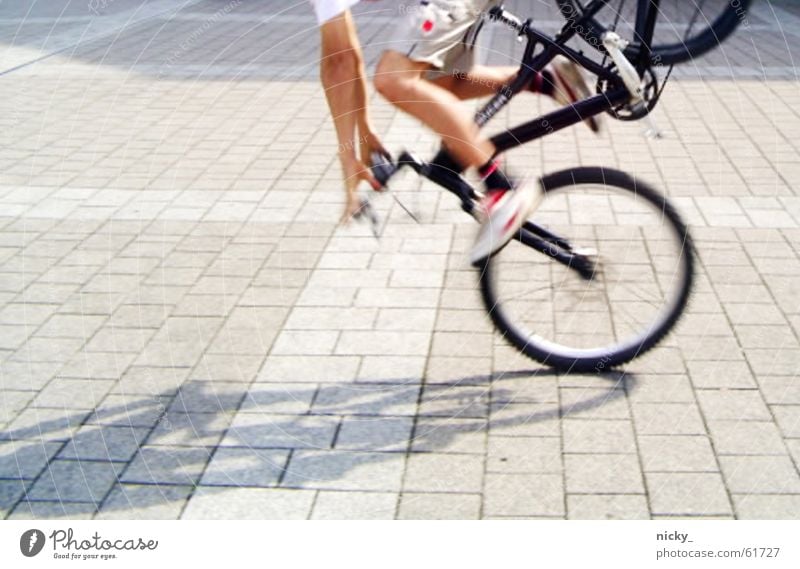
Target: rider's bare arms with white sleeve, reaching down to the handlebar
{"type": "Point", "coordinates": [344, 80]}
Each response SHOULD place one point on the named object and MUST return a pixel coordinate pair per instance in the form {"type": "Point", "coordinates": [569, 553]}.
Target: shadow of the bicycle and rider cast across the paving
{"type": "Point", "coordinates": [216, 438]}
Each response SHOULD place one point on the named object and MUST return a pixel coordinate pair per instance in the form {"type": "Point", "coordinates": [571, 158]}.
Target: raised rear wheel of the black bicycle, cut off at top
{"type": "Point", "coordinates": [685, 29]}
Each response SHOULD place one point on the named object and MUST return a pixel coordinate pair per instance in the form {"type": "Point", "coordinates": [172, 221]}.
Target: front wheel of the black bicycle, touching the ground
{"type": "Point", "coordinates": [599, 274]}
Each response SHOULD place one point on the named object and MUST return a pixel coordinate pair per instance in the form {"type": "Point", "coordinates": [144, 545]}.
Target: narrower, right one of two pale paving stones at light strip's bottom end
{"type": "Point", "coordinates": [331, 505]}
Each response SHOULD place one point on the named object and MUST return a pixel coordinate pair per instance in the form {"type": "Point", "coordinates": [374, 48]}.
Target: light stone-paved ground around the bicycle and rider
{"type": "Point", "coordinates": [185, 333]}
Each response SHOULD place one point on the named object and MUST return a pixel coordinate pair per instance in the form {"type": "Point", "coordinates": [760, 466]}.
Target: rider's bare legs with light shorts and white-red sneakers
{"type": "Point", "coordinates": [429, 68]}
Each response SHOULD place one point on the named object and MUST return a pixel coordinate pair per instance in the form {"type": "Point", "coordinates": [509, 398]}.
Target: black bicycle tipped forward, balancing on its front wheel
{"type": "Point", "coordinates": [593, 298]}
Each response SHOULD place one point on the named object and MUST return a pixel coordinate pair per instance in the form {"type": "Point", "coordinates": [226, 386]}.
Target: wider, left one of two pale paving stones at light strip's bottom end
{"type": "Point", "coordinates": [209, 503]}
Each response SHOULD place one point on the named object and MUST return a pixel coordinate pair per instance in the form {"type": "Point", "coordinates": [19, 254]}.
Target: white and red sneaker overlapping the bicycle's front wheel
{"type": "Point", "coordinates": [506, 212]}
